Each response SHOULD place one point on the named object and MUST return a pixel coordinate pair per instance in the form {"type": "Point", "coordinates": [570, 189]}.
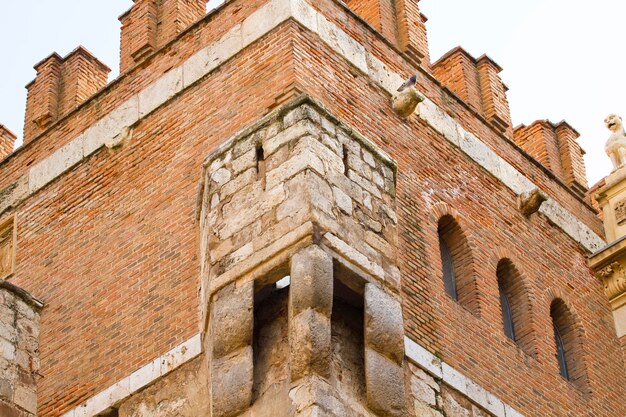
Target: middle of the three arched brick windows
{"type": "Point", "coordinates": [515, 306]}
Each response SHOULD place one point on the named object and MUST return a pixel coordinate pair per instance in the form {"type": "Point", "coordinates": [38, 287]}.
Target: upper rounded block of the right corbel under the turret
{"type": "Point", "coordinates": [384, 327]}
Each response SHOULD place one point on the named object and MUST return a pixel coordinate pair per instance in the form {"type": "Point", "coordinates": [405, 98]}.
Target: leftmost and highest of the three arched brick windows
{"type": "Point", "coordinates": [456, 264]}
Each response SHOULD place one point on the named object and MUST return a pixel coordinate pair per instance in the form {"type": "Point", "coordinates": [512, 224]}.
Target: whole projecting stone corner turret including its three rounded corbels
{"type": "Point", "coordinates": [298, 188]}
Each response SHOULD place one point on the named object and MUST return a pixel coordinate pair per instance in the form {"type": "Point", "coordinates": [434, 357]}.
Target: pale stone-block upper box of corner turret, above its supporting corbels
{"type": "Point", "coordinates": [314, 180]}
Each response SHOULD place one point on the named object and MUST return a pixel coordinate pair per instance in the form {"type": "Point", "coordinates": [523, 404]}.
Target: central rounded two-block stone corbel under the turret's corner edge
{"type": "Point", "coordinates": [310, 308]}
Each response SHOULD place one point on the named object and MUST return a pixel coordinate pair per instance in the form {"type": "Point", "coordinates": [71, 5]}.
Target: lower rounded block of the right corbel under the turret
{"type": "Point", "coordinates": [385, 386]}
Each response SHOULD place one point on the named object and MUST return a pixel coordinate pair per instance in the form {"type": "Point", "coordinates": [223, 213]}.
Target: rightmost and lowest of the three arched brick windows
{"type": "Point", "coordinates": [568, 344]}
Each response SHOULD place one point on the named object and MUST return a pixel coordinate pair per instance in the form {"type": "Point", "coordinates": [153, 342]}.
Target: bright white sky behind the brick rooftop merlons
{"type": "Point", "coordinates": [562, 59]}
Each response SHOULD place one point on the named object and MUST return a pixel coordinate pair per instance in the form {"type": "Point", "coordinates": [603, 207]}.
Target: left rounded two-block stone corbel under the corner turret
{"type": "Point", "coordinates": [231, 359]}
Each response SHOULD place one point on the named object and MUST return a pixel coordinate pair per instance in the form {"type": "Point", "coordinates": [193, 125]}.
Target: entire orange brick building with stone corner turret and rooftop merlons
{"type": "Point", "coordinates": [240, 225]}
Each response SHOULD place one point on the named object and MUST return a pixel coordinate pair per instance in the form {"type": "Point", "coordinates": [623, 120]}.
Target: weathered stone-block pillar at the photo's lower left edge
{"type": "Point", "coordinates": [19, 351]}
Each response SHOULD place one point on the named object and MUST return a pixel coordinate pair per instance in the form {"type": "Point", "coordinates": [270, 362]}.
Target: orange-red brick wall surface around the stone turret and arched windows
{"type": "Point", "coordinates": [112, 245]}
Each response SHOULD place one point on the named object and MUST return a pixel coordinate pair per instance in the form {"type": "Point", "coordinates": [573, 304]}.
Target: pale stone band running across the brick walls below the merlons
{"type": "Point", "coordinates": [108, 131]}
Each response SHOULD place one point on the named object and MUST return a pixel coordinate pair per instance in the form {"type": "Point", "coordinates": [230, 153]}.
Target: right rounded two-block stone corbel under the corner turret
{"type": "Point", "coordinates": [384, 352]}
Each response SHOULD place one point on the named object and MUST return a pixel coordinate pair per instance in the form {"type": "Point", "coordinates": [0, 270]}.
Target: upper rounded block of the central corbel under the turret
{"type": "Point", "coordinates": [311, 281]}
